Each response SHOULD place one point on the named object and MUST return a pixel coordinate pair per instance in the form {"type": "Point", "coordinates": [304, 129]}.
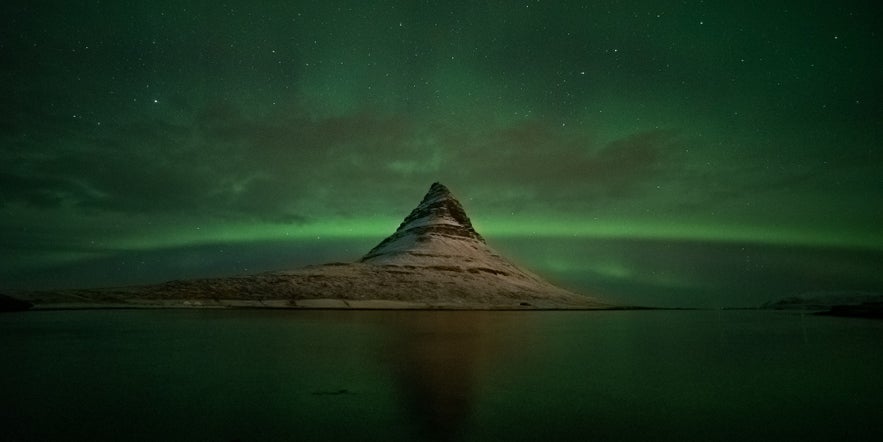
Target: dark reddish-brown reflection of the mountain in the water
{"type": "Point", "coordinates": [439, 358]}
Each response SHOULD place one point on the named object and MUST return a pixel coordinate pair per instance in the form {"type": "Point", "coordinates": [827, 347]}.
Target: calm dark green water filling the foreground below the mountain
{"type": "Point", "coordinates": [284, 375]}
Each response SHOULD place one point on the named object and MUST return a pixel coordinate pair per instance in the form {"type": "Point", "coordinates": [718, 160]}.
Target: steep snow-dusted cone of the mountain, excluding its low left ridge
{"type": "Point", "coordinates": [445, 258]}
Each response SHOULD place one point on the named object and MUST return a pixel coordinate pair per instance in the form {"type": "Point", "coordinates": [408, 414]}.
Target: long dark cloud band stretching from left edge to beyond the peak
{"type": "Point", "coordinates": [291, 166]}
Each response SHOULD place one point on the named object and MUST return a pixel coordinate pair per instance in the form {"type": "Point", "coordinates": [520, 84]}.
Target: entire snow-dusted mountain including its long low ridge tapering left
{"type": "Point", "coordinates": [434, 260]}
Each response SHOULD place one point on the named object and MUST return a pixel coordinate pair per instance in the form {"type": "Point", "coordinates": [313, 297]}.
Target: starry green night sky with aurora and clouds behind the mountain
{"type": "Point", "coordinates": [677, 153]}
